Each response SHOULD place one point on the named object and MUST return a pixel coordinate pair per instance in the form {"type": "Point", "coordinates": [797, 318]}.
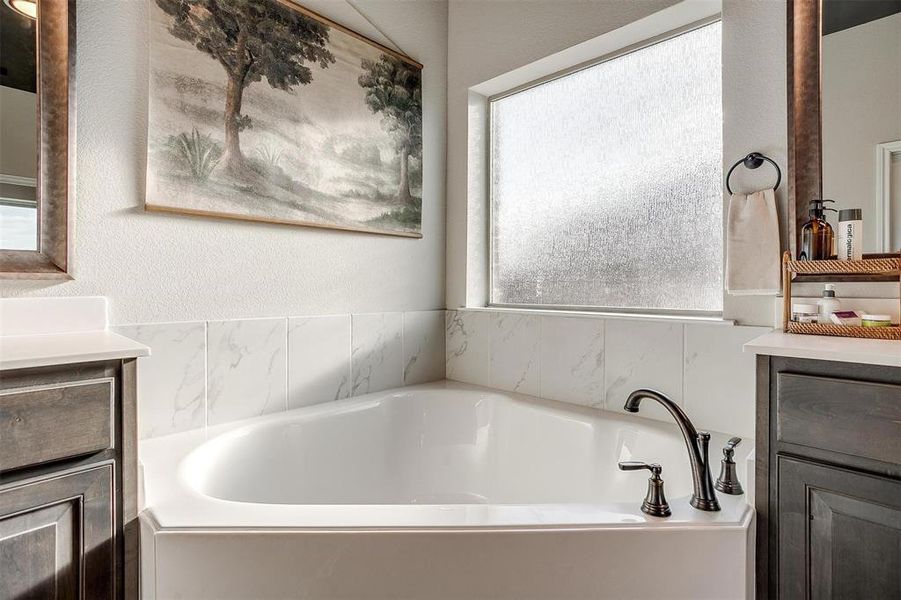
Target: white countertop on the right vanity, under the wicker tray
{"type": "Point", "coordinates": [820, 347]}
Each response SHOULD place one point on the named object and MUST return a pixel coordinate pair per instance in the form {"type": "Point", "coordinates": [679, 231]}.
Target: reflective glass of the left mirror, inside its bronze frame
{"type": "Point", "coordinates": [18, 126]}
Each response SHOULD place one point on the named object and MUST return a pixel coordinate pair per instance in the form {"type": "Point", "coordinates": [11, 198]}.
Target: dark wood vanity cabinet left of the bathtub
{"type": "Point", "coordinates": [68, 506]}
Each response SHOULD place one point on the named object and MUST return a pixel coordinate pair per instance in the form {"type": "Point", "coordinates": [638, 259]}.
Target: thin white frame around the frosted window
{"type": "Point", "coordinates": [668, 35]}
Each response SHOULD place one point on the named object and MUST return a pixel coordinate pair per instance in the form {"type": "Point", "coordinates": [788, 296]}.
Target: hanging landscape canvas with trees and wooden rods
{"type": "Point", "coordinates": [265, 111]}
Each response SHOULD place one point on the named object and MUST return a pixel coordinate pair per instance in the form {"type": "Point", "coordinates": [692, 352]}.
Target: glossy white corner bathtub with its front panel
{"type": "Point", "coordinates": [436, 491]}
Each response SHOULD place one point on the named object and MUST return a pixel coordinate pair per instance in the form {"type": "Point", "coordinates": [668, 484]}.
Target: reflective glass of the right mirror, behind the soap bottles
{"type": "Point", "coordinates": [860, 97]}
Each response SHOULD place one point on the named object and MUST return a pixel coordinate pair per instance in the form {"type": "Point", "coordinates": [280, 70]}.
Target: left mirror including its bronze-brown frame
{"type": "Point", "coordinates": [37, 134]}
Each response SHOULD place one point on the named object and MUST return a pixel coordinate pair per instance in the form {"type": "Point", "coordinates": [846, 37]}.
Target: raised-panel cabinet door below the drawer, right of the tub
{"type": "Point", "coordinates": [839, 533]}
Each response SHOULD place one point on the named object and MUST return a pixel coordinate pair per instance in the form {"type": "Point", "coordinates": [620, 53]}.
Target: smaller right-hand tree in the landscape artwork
{"type": "Point", "coordinates": [394, 89]}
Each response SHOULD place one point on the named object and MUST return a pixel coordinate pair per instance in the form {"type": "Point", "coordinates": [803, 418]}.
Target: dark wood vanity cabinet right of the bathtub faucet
{"type": "Point", "coordinates": [828, 486]}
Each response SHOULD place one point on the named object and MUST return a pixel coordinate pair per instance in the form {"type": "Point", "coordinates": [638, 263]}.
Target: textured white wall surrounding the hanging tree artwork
{"type": "Point", "coordinates": [157, 267]}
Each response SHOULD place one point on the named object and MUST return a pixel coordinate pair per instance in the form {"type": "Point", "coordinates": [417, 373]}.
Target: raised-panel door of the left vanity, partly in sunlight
{"type": "Point", "coordinates": [57, 537]}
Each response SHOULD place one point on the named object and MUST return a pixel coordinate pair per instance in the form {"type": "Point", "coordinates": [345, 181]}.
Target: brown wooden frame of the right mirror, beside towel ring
{"type": "Point", "coordinates": [805, 127]}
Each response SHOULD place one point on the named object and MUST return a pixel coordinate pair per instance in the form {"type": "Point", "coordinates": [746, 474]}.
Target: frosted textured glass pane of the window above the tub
{"type": "Point", "coordinates": [606, 183]}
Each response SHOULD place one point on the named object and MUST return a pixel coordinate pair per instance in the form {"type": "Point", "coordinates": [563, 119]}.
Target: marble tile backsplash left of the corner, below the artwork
{"type": "Point", "coordinates": [206, 373]}
